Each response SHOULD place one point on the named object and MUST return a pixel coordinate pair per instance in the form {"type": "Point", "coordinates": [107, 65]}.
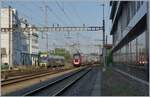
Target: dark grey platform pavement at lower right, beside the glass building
{"type": "Point", "coordinates": [119, 83]}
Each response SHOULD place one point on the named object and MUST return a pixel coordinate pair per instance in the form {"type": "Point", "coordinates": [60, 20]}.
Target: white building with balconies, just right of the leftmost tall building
{"type": "Point", "coordinates": [29, 45]}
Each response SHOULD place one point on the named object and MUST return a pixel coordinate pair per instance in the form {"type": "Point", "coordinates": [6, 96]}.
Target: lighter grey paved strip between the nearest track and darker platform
{"type": "Point", "coordinates": [89, 85]}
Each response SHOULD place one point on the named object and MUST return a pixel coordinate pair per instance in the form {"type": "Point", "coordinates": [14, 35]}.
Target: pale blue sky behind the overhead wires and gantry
{"type": "Point", "coordinates": [66, 13]}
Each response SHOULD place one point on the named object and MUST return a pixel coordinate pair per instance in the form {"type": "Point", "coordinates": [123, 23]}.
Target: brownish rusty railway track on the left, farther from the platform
{"type": "Point", "coordinates": [28, 77]}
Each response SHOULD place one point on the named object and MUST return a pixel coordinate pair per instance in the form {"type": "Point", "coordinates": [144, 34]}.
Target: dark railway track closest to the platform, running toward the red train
{"type": "Point", "coordinates": [58, 86]}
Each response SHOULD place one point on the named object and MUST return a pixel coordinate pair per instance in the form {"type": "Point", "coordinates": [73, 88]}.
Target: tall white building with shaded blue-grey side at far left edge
{"type": "Point", "coordinates": [10, 40]}
